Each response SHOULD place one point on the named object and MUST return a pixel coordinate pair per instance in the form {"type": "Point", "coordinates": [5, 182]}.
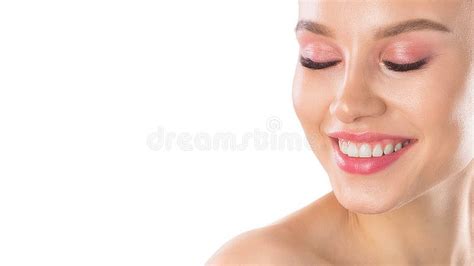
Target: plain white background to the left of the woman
{"type": "Point", "coordinates": [83, 86]}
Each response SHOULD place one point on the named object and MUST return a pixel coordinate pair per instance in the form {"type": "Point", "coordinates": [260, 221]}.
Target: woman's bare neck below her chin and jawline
{"type": "Point", "coordinates": [436, 227]}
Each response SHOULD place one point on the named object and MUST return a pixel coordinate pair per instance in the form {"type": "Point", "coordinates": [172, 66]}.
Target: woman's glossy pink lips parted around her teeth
{"type": "Point", "coordinates": [370, 165]}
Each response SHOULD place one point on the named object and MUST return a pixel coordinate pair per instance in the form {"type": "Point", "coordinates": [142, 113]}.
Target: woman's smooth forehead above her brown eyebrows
{"type": "Point", "coordinates": [348, 17]}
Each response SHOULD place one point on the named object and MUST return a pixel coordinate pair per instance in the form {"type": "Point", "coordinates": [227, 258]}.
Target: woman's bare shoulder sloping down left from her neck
{"type": "Point", "coordinates": [289, 241]}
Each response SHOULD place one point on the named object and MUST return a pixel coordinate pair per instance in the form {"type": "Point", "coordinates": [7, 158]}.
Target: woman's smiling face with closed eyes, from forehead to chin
{"type": "Point", "coordinates": [429, 102]}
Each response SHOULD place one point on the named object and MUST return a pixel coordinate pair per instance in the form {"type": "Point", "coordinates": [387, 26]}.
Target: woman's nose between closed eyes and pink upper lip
{"type": "Point", "coordinates": [355, 99]}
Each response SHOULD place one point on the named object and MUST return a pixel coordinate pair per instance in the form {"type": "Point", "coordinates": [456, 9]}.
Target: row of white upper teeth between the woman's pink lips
{"type": "Point", "coordinates": [366, 150]}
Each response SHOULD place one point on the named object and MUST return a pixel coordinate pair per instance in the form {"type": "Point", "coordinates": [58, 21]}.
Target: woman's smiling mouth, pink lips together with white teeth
{"type": "Point", "coordinates": [367, 153]}
